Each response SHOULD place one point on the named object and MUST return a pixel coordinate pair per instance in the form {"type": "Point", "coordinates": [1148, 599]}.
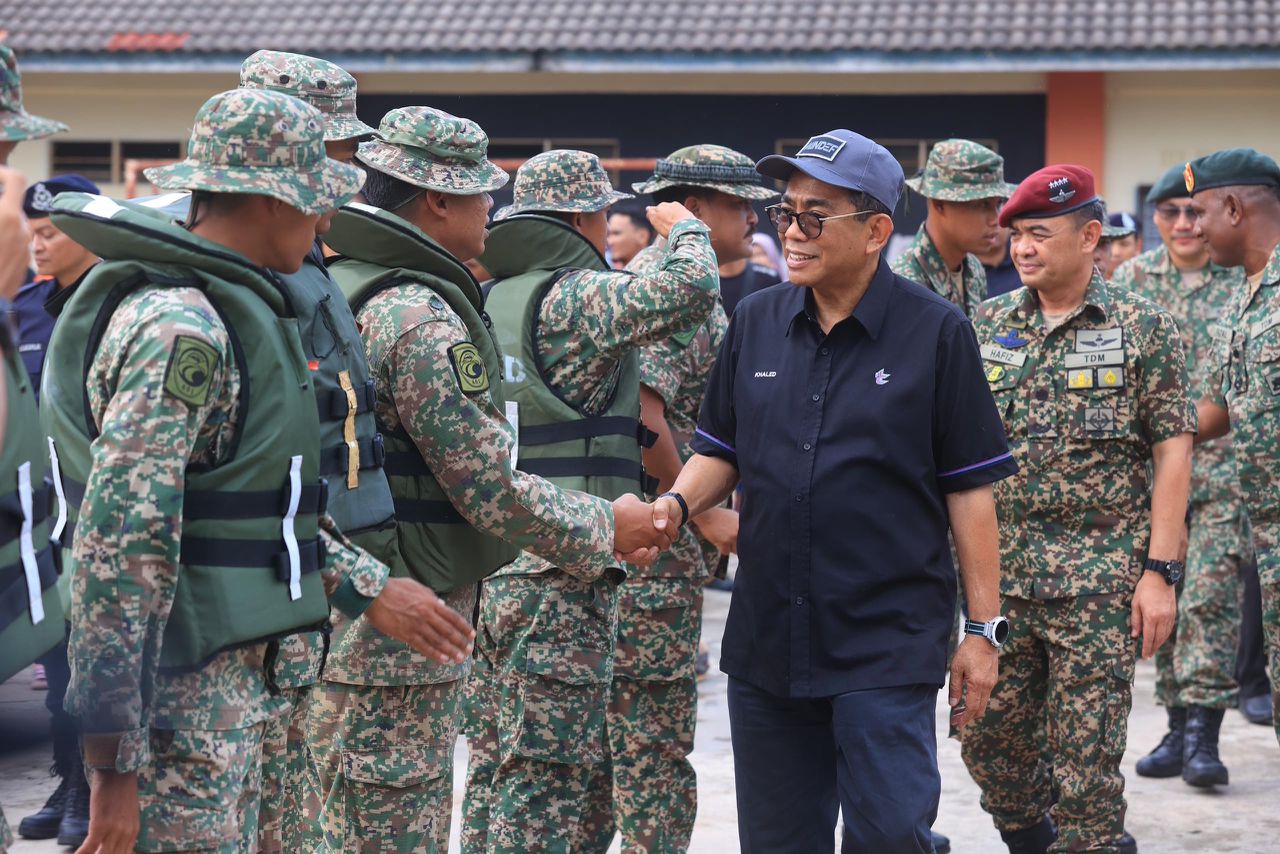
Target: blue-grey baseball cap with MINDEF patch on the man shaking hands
{"type": "Point", "coordinates": [844, 159]}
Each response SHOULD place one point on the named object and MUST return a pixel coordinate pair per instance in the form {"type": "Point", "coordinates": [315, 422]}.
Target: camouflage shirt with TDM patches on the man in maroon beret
{"type": "Point", "coordinates": [1084, 407]}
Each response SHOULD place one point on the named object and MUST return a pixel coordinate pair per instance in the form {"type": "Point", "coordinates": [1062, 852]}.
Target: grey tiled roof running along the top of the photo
{"type": "Point", "coordinates": [554, 29]}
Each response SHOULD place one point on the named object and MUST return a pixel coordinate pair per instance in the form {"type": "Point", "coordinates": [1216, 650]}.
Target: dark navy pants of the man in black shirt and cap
{"type": "Point", "coordinates": [871, 753]}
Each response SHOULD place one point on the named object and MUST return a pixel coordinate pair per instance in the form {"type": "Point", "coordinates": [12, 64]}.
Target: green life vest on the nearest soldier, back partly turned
{"type": "Point", "coordinates": [250, 550]}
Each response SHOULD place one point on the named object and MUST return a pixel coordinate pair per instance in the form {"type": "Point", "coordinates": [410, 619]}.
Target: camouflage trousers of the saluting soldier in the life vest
{"type": "Point", "coordinates": [536, 714]}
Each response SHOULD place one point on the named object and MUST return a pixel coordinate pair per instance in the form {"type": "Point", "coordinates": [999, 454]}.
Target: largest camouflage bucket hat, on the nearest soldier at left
{"type": "Point", "coordinates": [264, 144]}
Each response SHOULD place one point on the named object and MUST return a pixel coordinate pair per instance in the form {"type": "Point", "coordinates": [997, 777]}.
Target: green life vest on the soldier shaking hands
{"type": "Point", "coordinates": [433, 542]}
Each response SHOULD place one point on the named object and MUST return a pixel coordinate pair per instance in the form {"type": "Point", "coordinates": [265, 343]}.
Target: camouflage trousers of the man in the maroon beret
{"type": "Point", "coordinates": [1058, 719]}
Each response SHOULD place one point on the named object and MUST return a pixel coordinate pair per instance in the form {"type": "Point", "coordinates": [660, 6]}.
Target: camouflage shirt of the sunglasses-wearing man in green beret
{"type": "Point", "coordinates": [1199, 310]}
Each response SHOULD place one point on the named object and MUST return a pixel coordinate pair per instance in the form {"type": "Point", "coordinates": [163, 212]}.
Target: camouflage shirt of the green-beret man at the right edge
{"type": "Point", "coordinates": [1249, 385]}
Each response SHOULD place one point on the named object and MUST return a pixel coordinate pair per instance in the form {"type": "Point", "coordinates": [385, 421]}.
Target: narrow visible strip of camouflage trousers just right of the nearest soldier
{"type": "Point", "coordinates": [290, 796]}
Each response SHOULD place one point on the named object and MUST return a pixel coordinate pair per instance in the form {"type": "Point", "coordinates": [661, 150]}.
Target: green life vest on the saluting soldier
{"type": "Point", "coordinates": [596, 454]}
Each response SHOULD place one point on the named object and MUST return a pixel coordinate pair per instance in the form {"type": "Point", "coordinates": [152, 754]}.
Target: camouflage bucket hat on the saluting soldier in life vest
{"type": "Point", "coordinates": [564, 181]}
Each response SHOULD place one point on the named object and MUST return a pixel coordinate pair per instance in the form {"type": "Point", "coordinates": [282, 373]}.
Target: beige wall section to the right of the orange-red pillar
{"type": "Point", "coordinates": [1155, 121]}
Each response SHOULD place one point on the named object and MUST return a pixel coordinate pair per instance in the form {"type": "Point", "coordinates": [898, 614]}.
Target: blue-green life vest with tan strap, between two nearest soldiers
{"type": "Point", "coordinates": [351, 449]}
